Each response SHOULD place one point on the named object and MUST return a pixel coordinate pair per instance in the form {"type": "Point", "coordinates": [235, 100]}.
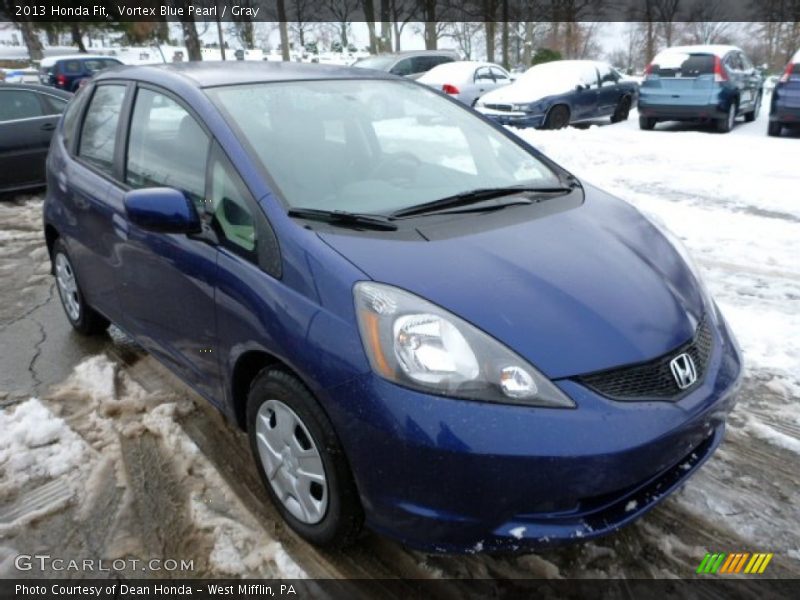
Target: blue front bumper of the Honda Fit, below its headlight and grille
{"type": "Point", "coordinates": [449, 475]}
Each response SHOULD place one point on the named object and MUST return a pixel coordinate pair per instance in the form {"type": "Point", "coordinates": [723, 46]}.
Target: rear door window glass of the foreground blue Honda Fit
{"type": "Point", "coordinates": [99, 132]}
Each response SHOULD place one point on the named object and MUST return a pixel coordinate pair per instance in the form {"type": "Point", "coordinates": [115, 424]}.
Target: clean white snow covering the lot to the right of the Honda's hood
{"type": "Point", "coordinates": [731, 198]}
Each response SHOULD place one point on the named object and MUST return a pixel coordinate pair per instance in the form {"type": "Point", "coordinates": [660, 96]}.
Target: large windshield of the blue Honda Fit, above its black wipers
{"type": "Point", "coordinates": [372, 146]}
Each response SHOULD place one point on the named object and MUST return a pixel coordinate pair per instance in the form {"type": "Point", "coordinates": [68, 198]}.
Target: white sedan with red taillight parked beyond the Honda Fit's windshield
{"type": "Point", "coordinates": [466, 80]}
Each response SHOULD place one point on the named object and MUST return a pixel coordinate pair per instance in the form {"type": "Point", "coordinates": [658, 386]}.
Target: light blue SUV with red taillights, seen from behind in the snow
{"type": "Point", "coordinates": [700, 83]}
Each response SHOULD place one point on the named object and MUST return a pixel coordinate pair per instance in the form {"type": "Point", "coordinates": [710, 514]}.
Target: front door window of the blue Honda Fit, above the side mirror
{"type": "Point", "coordinates": [166, 147]}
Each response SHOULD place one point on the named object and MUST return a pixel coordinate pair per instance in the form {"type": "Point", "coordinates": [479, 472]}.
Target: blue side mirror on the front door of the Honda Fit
{"type": "Point", "coordinates": [164, 210]}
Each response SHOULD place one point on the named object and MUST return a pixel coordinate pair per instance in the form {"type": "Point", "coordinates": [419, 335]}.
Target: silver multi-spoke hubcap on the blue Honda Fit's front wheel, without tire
{"type": "Point", "coordinates": [292, 462]}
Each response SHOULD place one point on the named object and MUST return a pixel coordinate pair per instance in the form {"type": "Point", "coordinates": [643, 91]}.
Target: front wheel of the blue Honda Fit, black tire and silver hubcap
{"type": "Point", "coordinates": [326, 513]}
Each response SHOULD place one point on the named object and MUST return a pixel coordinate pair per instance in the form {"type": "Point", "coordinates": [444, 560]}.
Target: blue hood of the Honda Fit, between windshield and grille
{"type": "Point", "coordinates": [587, 289]}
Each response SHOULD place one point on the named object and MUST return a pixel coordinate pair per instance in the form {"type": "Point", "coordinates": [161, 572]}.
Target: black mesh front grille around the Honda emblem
{"type": "Point", "coordinates": [654, 379]}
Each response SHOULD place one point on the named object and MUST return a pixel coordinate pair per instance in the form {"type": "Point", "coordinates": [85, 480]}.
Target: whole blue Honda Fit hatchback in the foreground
{"type": "Point", "coordinates": [423, 324]}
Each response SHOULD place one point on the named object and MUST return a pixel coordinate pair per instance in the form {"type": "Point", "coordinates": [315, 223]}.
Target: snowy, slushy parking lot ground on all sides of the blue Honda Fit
{"type": "Point", "coordinates": [127, 462]}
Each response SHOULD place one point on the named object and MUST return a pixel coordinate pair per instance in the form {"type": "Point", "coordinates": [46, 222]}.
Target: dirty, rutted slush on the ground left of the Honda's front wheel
{"type": "Point", "coordinates": [89, 441]}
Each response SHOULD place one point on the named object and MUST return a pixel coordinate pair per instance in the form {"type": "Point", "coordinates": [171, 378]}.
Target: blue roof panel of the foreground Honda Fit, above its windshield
{"type": "Point", "coordinates": [216, 73]}
